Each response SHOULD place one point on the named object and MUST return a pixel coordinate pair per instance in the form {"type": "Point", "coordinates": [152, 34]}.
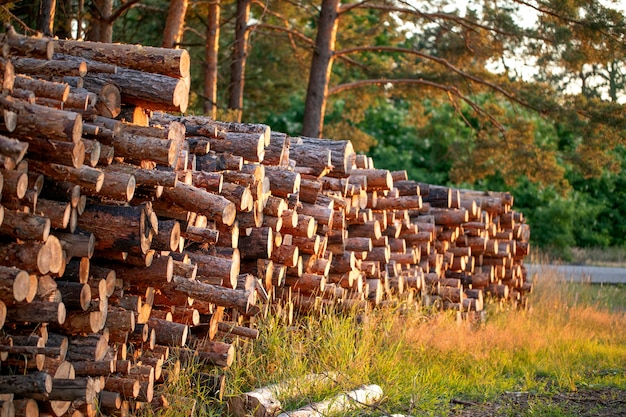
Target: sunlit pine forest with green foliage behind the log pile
{"type": "Point", "coordinates": [525, 96]}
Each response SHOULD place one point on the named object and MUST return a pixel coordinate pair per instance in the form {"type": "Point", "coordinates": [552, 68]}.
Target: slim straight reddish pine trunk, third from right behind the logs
{"type": "Point", "coordinates": [210, 53]}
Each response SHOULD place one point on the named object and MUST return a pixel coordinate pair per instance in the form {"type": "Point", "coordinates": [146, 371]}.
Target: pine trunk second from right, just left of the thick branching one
{"type": "Point", "coordinates": [238, 65]}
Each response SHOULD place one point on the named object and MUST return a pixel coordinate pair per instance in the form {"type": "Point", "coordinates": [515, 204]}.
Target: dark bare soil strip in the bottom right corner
{"type": "Point", "coordinates": [605, 402]}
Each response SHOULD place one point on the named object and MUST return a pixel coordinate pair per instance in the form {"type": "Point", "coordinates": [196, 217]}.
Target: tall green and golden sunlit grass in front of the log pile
{"type": "Point", "coordinates": [572, 337]}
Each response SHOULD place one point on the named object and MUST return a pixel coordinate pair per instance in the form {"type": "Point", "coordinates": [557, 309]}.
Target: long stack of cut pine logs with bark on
{"type": "Point", "coordinates": [134, 237]}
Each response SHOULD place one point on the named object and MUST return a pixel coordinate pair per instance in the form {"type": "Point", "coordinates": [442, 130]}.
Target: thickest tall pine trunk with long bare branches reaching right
{"type": "Point", "coordinates": [321, 67]}
